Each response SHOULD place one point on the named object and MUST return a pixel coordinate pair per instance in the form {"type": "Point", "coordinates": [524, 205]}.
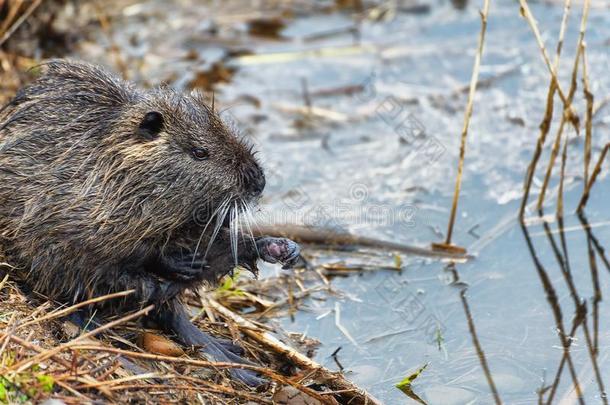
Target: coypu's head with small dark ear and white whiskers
{"type": "Point", "coordinates": [192, 158]}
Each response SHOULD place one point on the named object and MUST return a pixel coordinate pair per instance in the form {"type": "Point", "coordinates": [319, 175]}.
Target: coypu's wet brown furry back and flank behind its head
{"type": "Point", "coordinates": [50, 136]}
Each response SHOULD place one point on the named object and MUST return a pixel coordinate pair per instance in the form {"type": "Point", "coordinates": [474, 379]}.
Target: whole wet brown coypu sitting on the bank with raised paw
{"type": "Point", "coordinates": [105, 187]}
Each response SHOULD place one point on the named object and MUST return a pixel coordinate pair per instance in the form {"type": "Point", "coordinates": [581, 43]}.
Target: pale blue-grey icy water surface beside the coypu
{"type": "Point", "coordinates": [361, 131]}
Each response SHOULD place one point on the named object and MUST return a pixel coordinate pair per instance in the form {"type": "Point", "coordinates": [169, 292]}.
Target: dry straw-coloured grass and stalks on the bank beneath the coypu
{"type": "Point", "coordinates": [40, 356]}
